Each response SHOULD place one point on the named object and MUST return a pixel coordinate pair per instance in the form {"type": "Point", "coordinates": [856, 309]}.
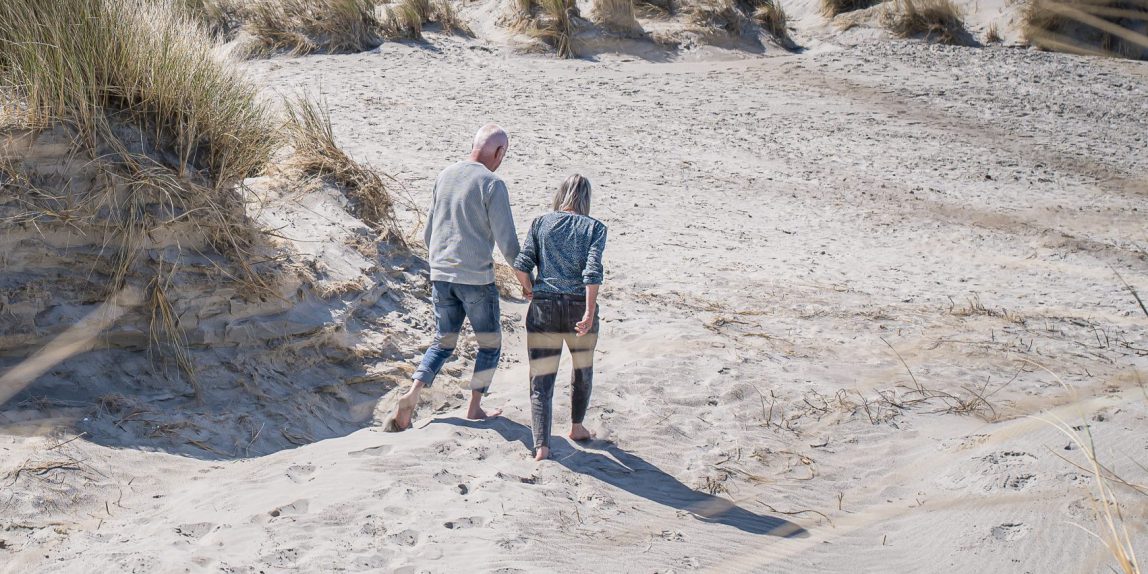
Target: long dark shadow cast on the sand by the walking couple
{"type": "Point", "coordinates": [612, 466]}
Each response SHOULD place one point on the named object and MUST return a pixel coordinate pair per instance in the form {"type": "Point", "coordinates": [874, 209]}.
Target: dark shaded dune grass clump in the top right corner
{"type": "Point", "coordinates": [1106, 28]}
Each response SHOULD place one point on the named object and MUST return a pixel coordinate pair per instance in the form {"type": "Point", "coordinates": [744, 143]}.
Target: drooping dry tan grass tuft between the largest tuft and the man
{"type": "Point", "coordinates": [316, 154]}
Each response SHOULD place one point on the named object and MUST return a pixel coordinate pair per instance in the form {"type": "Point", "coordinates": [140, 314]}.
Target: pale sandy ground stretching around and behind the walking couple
{"type": "Point", "coordinates": [802, 250]}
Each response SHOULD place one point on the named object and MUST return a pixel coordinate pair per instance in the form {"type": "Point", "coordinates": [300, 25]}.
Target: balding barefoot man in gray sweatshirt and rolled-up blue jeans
{"type": "Point", "coordinates": [470, 214]}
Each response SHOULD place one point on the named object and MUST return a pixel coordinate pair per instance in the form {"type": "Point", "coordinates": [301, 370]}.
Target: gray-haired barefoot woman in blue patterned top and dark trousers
{"type": "Point", "coordinates": [565, 246]}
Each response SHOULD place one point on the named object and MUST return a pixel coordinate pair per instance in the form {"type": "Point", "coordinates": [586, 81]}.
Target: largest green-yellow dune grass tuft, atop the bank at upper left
{"type": "Point", "coordinates": [95, 64]}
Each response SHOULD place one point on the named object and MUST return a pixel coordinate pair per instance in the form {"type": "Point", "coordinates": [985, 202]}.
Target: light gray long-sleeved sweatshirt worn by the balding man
{"type": "Point", "coordinates": [470, 213]}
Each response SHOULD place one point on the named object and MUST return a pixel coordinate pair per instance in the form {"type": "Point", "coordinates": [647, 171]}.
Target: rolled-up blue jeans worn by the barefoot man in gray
{"type": "Point", "coordinates": [453, 304]}
